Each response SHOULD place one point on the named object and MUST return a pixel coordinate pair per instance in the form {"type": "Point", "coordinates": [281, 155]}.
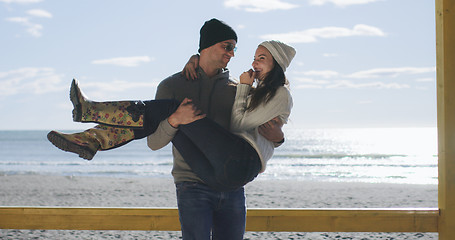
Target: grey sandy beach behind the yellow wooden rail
{"type": "Point", "coordinates": [37, 190]}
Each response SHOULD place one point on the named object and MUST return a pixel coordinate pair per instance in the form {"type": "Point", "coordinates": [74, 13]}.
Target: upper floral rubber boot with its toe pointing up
{"type": "Point", "coordinates": [117, 113]}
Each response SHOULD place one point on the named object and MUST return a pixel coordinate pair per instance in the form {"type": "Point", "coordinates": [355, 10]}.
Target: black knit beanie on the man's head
{"type": "Point", "coordinates": [213, 32]}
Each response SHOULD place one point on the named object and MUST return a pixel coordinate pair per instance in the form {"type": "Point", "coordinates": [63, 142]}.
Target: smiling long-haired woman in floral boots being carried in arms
{"type": "Point", "coordinates": [223, 160]}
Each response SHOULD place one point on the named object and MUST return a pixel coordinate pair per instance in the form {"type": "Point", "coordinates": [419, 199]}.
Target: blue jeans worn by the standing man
{"type": "Point", "coordinates": [206, 213]}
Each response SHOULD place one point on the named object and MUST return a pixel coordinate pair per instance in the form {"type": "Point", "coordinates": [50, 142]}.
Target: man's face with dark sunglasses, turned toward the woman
{"type": "Point", "coordinates": [222, 52]}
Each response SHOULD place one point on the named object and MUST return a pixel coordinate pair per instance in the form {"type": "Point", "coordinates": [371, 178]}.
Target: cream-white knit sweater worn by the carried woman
{"type": "Point", "coordinates": [245, 123]}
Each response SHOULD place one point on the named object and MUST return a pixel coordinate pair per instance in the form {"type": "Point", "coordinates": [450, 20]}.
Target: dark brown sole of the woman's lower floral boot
{"type": "Point", "coordinates": [68, 146]}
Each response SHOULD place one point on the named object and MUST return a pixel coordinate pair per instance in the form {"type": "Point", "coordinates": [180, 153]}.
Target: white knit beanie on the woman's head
{"type": "Point", "coordinates": [281, 52]}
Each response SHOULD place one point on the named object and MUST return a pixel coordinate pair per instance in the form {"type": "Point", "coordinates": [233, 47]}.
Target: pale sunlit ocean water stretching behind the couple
{"type": "Point", "coordinates": [375, 155]}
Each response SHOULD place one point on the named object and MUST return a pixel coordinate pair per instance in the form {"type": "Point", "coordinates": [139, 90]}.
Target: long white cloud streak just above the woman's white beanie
{"type": "Point", "coordinates": [314, 34]}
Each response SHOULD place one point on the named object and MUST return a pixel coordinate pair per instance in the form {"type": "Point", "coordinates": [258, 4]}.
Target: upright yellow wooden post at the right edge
{"type": "Point", "coordinates": [445, 61]}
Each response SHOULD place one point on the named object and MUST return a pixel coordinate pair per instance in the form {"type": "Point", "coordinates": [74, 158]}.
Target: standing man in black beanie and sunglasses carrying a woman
{"type": "Point", "coordinates": [204, 211]}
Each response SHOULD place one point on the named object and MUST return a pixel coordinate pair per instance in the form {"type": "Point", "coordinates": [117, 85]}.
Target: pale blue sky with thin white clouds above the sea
{"type": "Point", "coordinates": [359, 63]}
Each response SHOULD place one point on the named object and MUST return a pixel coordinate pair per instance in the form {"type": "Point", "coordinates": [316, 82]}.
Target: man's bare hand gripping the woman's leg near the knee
{"type": "Point", "coordinates": [185, 113]}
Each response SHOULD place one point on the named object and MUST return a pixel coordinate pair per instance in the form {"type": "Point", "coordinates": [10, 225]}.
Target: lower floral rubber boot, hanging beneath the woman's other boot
{"type": "Point", "coordinates": [87, 143]}
